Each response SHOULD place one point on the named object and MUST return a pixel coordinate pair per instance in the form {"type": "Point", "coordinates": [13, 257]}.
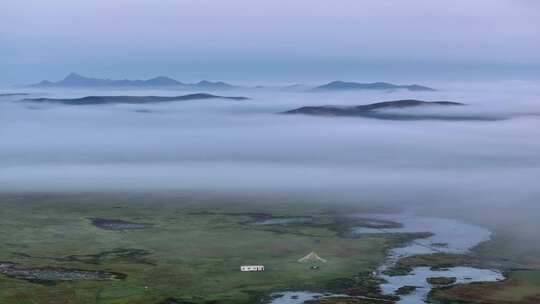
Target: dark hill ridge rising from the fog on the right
{"type": "Point", "coordinates": [380, 110]}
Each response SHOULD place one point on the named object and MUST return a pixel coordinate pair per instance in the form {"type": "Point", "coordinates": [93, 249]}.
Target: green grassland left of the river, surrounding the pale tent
{"type": "Point", "coordinates": [192, 252]}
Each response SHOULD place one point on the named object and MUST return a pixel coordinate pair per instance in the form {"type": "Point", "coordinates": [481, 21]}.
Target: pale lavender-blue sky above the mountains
{"type": "Point", "coordinates": [270, 40]}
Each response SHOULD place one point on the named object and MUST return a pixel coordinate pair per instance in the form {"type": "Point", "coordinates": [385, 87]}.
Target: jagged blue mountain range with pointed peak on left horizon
{"type": "Point", "coordinates": [74, 80]}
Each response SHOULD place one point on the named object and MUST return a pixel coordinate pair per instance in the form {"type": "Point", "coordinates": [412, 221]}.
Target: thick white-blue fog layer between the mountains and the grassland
{"type": "Point", "coordinates": [245, 147]}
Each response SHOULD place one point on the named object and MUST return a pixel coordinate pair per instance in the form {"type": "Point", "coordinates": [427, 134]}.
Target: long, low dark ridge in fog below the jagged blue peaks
{"type": "Point", "coordinates": [100, 100]}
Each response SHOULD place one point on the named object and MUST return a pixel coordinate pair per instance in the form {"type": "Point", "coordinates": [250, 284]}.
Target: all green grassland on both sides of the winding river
{"type": "Point", "coordinates": [194, 247]}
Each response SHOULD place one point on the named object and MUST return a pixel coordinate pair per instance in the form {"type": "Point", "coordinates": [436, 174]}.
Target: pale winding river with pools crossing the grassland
{"type": "Point", "coordinates": [448, 236]}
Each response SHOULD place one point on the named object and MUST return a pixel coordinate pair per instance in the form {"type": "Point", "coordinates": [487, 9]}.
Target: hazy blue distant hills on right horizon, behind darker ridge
{"type": "Point", "coordinates": [344, 86]}
